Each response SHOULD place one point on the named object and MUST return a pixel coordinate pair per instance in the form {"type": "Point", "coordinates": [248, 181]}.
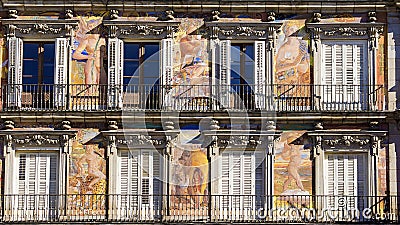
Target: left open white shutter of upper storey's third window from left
{"type": "Point", "coordinates": [224, 72]}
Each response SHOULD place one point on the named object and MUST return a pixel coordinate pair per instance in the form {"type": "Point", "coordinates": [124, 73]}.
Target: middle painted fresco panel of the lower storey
{"type": "Point", "coordinates": [189, 176]}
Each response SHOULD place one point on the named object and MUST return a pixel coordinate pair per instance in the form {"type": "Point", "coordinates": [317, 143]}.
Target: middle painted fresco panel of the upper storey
{"type": "Point", "coordinates": [190, 67]}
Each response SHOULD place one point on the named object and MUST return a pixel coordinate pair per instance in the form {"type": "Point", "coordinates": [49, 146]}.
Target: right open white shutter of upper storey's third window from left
{"type": "Point", "coordinates": [259, 74]}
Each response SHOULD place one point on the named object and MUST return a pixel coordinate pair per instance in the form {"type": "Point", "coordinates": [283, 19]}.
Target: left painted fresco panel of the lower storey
{"type": "Point", "coordinates": [87, 175]}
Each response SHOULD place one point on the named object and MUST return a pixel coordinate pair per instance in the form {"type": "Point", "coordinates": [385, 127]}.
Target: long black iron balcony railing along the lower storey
{"type": "Point", "coordinates": [198, 208]}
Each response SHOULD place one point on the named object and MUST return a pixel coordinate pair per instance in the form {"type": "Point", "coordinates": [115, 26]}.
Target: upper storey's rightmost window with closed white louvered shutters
{"type": "Point", "coordinates": [344, 74]}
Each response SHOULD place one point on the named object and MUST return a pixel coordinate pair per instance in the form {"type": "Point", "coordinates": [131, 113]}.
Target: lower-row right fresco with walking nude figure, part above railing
{"type": "Point", "coordinates": [293, 167]}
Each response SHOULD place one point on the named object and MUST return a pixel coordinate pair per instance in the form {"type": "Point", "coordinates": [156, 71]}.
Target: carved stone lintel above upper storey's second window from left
{"type": "Point", "coordinates": [141, 29]}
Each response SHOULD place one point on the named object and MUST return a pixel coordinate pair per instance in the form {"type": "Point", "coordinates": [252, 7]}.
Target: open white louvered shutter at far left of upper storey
{"type": "Point", "coordinates": [15, 58]}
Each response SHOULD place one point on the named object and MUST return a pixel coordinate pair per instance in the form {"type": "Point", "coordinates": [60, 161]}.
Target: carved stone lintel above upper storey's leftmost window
{"type": "Point", "coordinates": [39, 28]}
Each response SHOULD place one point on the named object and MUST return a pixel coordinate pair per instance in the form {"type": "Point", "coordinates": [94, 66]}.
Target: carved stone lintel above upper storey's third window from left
{"type": "Point", "coordinates": [242, 30]}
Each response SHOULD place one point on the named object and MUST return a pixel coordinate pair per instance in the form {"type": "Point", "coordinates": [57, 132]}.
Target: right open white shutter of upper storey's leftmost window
{"type": "Point", "coordinates": [61, 72]}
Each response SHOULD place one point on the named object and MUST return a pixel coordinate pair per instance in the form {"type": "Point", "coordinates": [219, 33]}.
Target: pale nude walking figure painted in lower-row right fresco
{"type": "Point", "coordinates": [294, 154]}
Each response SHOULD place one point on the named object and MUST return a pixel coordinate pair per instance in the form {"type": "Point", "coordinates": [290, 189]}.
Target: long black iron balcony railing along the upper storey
{"type": "Point", "coordinates": [199, 98]}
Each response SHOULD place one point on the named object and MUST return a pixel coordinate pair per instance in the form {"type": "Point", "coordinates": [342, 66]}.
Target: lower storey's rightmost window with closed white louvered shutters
{"type": "Point", "coordinates": [346, 177]}
